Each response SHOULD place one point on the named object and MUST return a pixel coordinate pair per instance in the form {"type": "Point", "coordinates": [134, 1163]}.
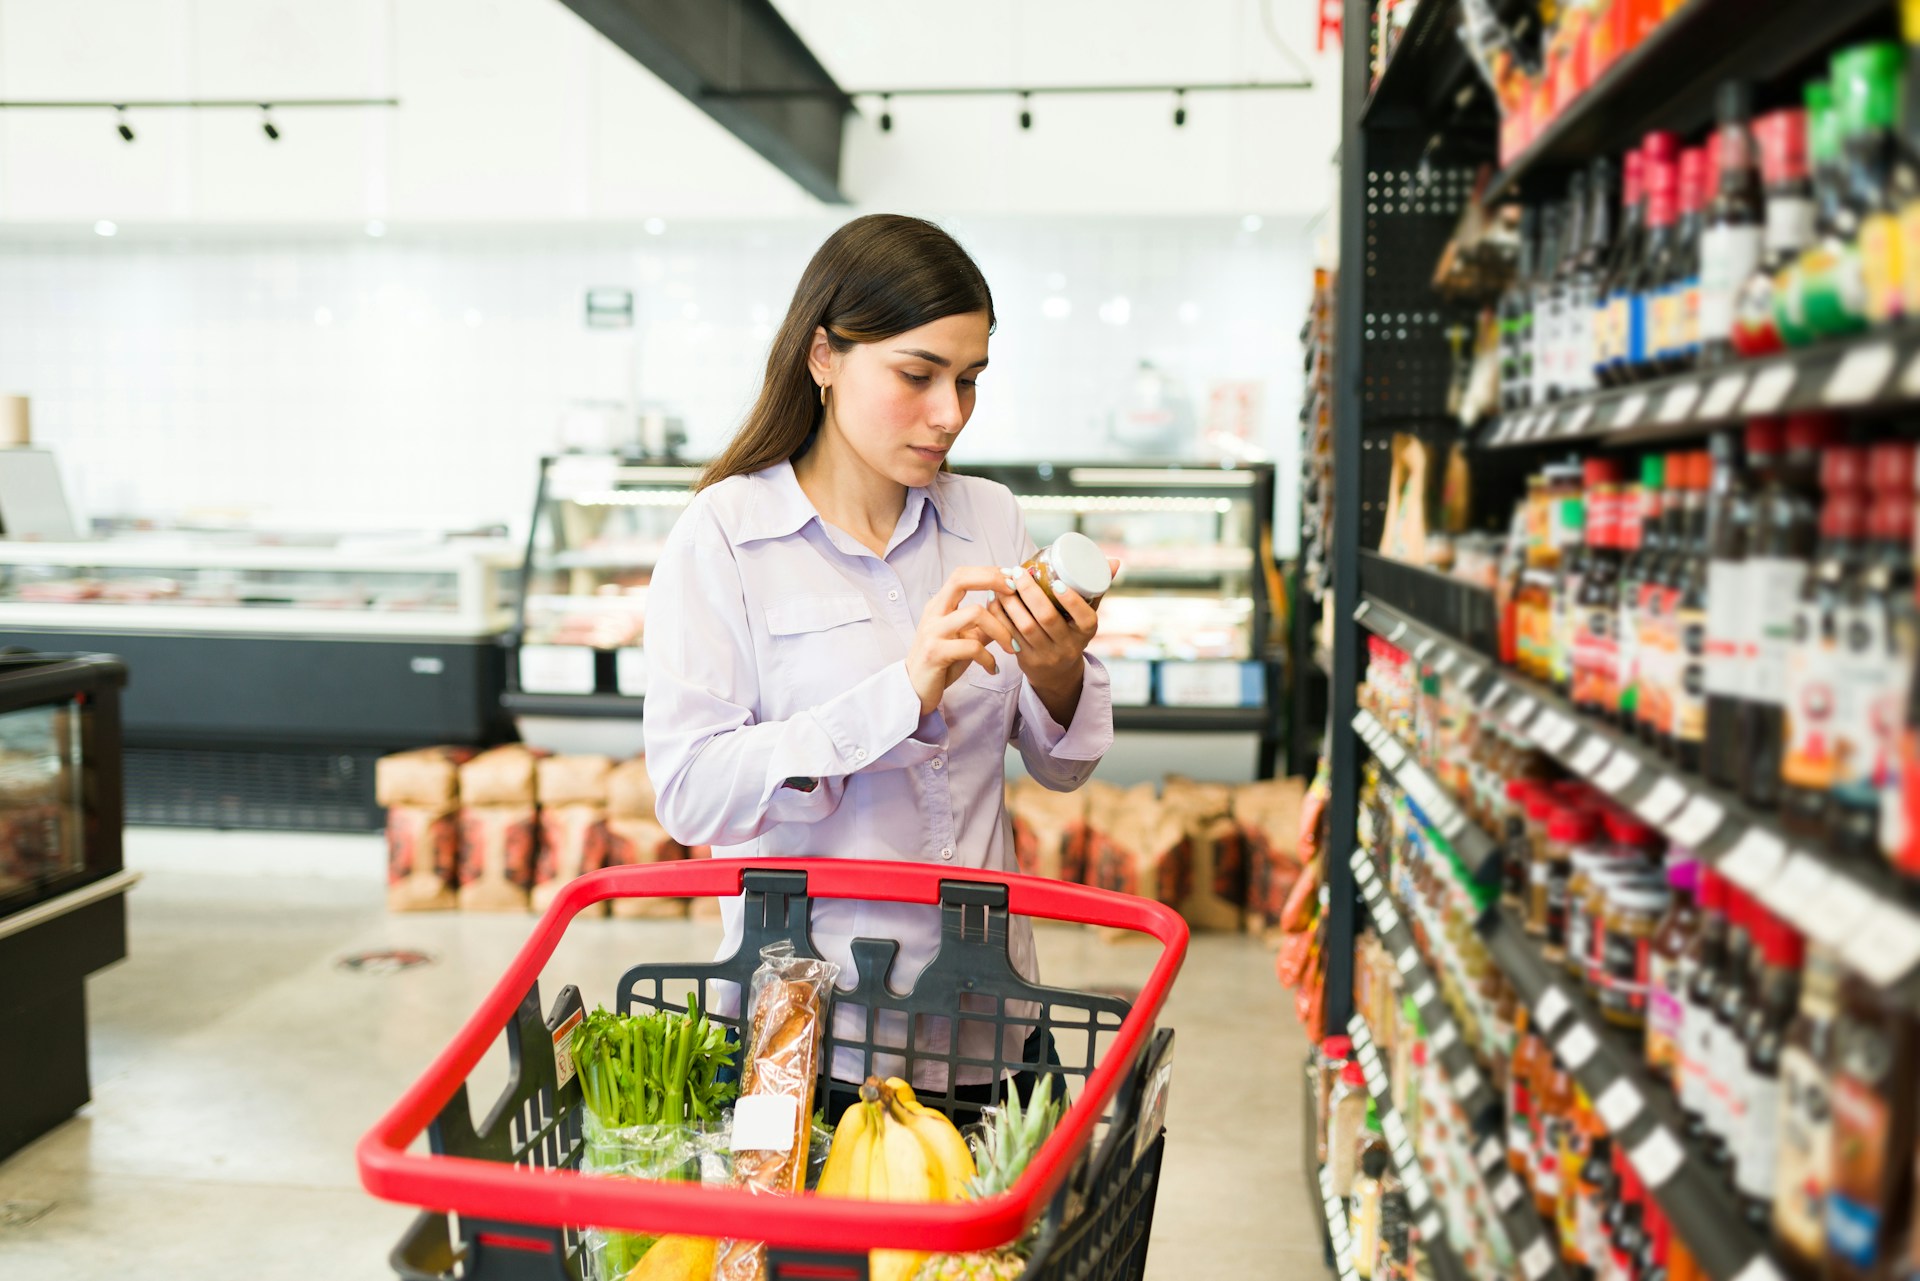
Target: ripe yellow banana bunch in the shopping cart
{"type": "Point", "coordinates": [892, 1148]}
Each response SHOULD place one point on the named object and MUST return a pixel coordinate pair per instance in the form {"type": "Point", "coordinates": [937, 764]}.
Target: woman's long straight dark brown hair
{"type": "Point", "coordinates": [876, 278]}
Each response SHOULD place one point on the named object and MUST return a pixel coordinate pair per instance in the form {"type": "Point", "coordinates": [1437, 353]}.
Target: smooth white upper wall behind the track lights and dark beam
{"type": "Point", "coordinates": [516, 110]}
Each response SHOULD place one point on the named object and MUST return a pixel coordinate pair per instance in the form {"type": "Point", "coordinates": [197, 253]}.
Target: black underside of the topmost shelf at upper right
{"type": "Point", "coordinates": [1669, 80]}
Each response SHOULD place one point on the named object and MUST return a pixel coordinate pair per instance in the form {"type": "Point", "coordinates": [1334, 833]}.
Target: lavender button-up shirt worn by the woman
{"type": "Point", "coordinates": [777, 650]}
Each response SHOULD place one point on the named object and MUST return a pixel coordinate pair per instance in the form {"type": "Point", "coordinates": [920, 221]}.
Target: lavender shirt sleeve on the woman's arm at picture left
{"type": "Point", "coordinates": [719, 771]}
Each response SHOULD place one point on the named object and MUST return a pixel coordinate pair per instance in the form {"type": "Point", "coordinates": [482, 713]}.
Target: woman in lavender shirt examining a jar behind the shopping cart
{"type": "Point", "coordinates": [838, 650]}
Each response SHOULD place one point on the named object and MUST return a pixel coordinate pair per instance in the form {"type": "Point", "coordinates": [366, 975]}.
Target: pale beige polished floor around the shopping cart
{"type": "Point", "coordinates": [235, 1067]}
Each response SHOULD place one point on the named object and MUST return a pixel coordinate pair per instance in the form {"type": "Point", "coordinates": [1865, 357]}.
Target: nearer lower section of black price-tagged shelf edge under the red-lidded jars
{"type": "Point", "coordinates": [1637, 1109]}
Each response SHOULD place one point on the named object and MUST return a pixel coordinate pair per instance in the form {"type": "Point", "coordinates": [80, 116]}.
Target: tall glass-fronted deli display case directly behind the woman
{"type": "Point", "coordinates": [1186, 631]}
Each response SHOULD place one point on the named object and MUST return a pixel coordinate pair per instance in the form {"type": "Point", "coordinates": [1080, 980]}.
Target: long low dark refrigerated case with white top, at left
{"type": "Point", "coordinates": [272, 671]}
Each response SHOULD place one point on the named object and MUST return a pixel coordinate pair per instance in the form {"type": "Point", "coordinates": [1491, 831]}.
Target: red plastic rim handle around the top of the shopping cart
{"type": "Point", "coordinates": [567, 1199]}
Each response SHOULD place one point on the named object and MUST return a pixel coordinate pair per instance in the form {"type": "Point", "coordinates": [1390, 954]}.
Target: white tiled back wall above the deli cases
{"type": "Point", "coordinates": [418, 379]}
